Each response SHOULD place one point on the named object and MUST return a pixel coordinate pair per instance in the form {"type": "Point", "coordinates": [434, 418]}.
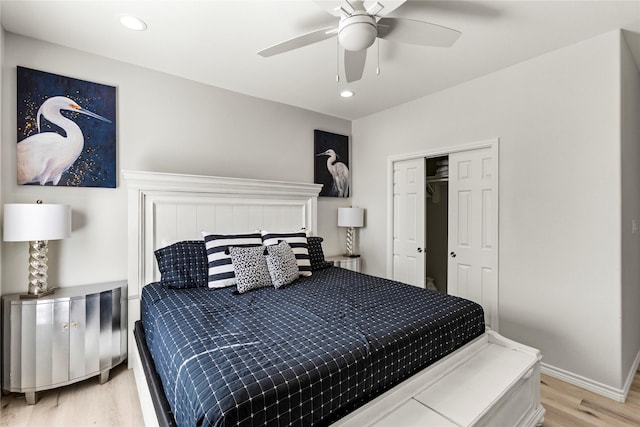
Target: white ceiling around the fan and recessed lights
{"type": "Point", "coordinates": [215, 42]}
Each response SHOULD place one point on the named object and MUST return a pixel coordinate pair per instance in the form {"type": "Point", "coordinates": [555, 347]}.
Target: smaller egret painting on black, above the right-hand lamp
{"type": "Point", "coordinates": [332, 164]}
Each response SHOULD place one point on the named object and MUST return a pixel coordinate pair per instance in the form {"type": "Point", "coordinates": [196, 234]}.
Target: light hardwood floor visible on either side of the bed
{"type": "Point", "coordinates": [115, 403]}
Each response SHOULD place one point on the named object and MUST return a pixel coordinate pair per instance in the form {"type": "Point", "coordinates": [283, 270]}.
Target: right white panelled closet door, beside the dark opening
{"type": "Point", "coordinates": [473, 230]}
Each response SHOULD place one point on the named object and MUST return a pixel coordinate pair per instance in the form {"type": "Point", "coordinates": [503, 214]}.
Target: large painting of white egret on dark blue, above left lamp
{"type": "Point", "coordinates": [66, 131]}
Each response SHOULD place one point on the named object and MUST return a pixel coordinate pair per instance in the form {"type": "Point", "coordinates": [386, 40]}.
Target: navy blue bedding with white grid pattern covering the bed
{"type": "Point", "coordinates": [299, 355]}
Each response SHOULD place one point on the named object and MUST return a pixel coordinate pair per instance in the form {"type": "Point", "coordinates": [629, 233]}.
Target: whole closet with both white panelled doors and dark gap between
{"type": "Point", "coordinates": [444, 223]}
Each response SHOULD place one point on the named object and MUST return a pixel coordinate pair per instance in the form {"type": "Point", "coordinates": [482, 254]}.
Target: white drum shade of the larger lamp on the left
{"type": "Point", "coordinates": [25, 222]}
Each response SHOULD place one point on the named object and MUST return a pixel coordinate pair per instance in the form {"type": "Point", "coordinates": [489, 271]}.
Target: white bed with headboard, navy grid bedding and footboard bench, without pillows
{"type": "Point", "coordinates": [335, 346]}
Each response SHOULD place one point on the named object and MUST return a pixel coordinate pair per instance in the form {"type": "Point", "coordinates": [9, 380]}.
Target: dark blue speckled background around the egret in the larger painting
{"type": "Point", "coordinates": [96, 166]}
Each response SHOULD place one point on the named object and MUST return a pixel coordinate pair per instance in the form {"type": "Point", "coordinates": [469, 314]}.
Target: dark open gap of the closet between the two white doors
{"type": "Point", "coordinates": [436, 226]}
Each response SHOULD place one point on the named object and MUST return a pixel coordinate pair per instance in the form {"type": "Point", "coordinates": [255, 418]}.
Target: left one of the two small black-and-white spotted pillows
{"type": "Point", "coordinates": [250, 267]}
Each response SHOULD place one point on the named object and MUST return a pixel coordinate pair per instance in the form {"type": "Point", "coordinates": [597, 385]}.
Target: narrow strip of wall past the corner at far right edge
{"type": "Point", "coordinates": [630, 161]}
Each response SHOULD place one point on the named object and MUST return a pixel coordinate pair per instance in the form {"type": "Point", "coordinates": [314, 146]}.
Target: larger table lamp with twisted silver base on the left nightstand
{"type": "Point", "coordinates": [36, 223]}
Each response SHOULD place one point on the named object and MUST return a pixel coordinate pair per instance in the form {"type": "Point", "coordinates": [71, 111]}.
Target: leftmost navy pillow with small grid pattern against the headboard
{"type": "Point", "coordinates": [183, 264]}
